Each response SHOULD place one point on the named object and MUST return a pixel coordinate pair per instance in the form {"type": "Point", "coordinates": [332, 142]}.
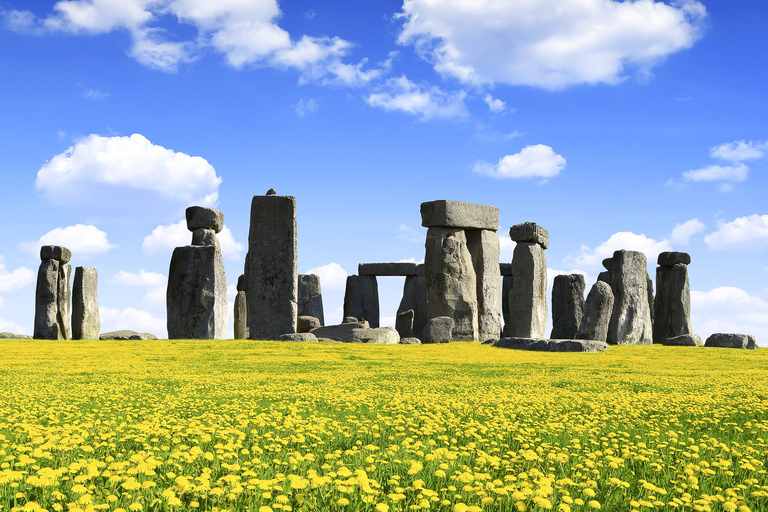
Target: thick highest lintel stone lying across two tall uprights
{"type": "Point", "coordinates": [458, 214]}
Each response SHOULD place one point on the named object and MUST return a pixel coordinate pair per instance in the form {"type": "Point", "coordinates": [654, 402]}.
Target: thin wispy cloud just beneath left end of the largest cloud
{"type": "Point", "coordinates": [428, 102]}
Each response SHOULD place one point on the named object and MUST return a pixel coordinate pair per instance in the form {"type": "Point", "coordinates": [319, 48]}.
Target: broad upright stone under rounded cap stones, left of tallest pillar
{"type": "Point", "coordinates": [196, 298]}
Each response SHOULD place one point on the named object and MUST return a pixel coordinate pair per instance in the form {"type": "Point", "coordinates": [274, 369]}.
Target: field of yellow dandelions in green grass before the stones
{"type": "Point", "coordinates": [267, 426]}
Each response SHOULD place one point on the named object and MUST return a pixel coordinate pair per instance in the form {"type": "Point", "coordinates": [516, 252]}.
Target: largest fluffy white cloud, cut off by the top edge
{"type": "Point", "coordinates": [548, 43]}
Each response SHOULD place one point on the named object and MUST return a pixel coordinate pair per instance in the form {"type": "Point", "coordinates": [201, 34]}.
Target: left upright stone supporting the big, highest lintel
{"type": "Point", "coordinates": [451, 281]}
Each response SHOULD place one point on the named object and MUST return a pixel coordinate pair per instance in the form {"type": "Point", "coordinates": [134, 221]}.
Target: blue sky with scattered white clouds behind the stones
{"type": "Point", "coordinates": [638, 125]}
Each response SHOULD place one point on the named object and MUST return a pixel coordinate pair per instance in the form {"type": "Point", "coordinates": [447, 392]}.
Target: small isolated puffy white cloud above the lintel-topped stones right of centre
{"type": "Point", "coordinates": [537, 161]}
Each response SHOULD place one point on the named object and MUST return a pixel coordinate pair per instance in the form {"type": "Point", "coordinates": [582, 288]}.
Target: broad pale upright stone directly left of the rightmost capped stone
{"type": "Point", "coordinates": [631, 319]}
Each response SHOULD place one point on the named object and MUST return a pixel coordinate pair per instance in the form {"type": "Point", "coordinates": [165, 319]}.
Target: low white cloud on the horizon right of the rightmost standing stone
{"type": "Point", "coordinates": [731, 310]}
